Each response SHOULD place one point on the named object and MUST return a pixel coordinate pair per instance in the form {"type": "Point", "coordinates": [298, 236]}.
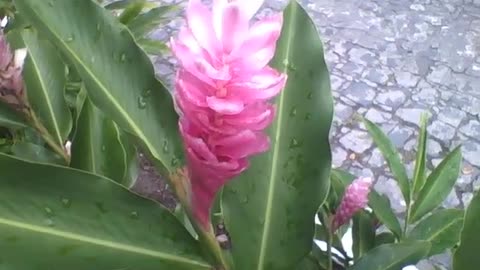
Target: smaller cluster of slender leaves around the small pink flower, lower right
{"type": "Point", "coordinates": [427, 230]}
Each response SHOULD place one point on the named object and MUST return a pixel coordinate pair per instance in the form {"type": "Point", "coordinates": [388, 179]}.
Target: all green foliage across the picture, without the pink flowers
{"type": "Point", "coordinates": [89, 83]}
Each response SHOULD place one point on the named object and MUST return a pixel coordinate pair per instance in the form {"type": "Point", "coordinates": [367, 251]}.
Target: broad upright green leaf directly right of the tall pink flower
{"type": "Point", "coordinates": [269, 210]}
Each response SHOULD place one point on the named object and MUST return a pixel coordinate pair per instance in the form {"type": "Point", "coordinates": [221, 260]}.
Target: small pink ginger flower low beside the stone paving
{"type": "Point", "coordinates": [354, 199]}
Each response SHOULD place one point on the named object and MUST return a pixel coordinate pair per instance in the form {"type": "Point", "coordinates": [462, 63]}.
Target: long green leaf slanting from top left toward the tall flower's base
{"type": "Point", "coordinates": [120, 79]}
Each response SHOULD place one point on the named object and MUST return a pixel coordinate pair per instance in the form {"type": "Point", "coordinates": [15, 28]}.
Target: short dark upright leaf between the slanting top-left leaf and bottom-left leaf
{"type": "Point", "coordinates": [98, 147]}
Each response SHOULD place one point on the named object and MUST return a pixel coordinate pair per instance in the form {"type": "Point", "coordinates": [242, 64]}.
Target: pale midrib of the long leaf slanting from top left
{"type": "Point", "coordinates": [130, 122]}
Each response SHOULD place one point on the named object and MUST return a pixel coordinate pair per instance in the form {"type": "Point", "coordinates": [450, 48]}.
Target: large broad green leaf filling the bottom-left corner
{"type": "Point", "coordinates": [60, 218]}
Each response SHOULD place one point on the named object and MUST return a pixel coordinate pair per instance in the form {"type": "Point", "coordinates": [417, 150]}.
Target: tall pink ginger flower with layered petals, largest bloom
{"type": "Point", "coordinates": [222, 90]}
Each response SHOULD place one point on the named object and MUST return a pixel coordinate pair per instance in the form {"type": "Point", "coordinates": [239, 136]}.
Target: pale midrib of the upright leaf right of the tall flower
{"type": "Point", "coordinates": [275, 153]}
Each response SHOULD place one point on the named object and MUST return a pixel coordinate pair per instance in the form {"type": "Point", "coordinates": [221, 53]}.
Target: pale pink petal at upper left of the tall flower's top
{"type": "Point", "coordinates": [199, 21]}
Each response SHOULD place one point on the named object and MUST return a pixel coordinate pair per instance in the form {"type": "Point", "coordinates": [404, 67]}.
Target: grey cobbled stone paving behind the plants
{"type": "Point", "coordinates": [390, 60]}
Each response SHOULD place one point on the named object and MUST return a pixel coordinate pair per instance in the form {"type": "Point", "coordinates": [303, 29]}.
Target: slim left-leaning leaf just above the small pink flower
{"type": "Point", "coordinates": [391, 156]}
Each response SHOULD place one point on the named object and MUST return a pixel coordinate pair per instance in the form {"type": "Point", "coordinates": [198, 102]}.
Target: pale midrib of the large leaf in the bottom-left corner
{"type": "Point", "coordinates": [104, 243]}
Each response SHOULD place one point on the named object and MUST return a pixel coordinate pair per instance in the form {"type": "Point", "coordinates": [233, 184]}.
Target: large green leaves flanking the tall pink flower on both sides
{"type": "Point", "coordinates": [89, 80]}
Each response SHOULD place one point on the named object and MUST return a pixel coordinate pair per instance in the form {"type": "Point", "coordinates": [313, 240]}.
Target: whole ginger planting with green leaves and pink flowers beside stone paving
{"type": "Point", "coordinates": [243, 143]}
